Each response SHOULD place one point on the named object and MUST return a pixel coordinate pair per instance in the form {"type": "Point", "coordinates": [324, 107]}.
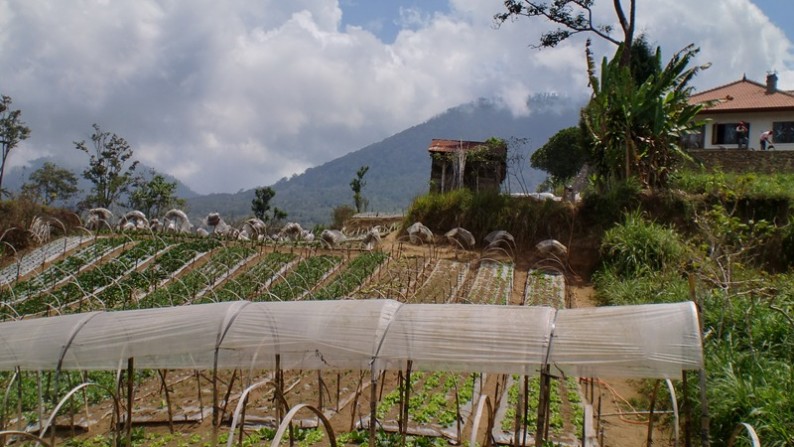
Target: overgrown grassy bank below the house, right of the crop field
{"type": "Point", "coordinates": [723, 240]}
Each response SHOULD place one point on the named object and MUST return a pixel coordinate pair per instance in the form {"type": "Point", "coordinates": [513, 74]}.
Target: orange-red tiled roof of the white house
{"type": "Point", "coordinates": [744, 96]}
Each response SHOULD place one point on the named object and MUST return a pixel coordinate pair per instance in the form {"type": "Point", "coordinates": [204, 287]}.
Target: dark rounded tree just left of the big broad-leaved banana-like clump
{"type": "Point", "coordinates": [562, 156]}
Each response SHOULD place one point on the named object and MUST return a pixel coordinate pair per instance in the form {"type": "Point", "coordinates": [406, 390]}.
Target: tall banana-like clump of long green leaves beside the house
{"type": "Point", "coordinates": [637, 125]}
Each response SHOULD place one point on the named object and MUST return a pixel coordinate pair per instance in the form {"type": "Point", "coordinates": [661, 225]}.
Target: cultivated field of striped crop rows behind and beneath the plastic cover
{"type": "Point", "coordinates": [136, 272]}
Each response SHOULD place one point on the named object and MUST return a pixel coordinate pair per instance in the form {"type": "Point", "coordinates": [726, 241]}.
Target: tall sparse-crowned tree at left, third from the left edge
{"type": "Point", "coordinates": [109, 154]}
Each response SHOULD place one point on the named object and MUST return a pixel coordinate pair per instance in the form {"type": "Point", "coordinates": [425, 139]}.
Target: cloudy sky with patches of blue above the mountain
{"type": "Point", "coordinates": [238, 94]}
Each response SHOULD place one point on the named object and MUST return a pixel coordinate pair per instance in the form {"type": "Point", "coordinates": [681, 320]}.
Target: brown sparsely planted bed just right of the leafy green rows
{"type": "Point", "coordinates": [398, 278]}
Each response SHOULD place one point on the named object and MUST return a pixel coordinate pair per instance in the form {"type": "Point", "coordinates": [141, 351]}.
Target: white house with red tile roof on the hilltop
{"type": "Point", "coordinates": [759, 106]}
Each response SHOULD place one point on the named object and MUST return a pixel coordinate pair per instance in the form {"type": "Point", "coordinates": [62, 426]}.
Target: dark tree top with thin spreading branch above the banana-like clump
{"type": "Point", "coordinates": [573, 17]}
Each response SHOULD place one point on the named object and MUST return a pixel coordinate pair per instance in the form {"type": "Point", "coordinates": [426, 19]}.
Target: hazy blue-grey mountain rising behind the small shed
{"type": "Point", "coordinates": [399, 166]}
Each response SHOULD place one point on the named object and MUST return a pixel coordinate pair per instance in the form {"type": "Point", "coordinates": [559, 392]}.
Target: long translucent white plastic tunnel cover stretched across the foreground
{"type": "Point", "coordinates": [653, 341]}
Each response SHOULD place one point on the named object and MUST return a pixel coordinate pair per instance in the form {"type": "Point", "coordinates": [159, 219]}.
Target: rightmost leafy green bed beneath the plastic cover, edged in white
{"type": "Point", "coordinates": [565, 418]}
